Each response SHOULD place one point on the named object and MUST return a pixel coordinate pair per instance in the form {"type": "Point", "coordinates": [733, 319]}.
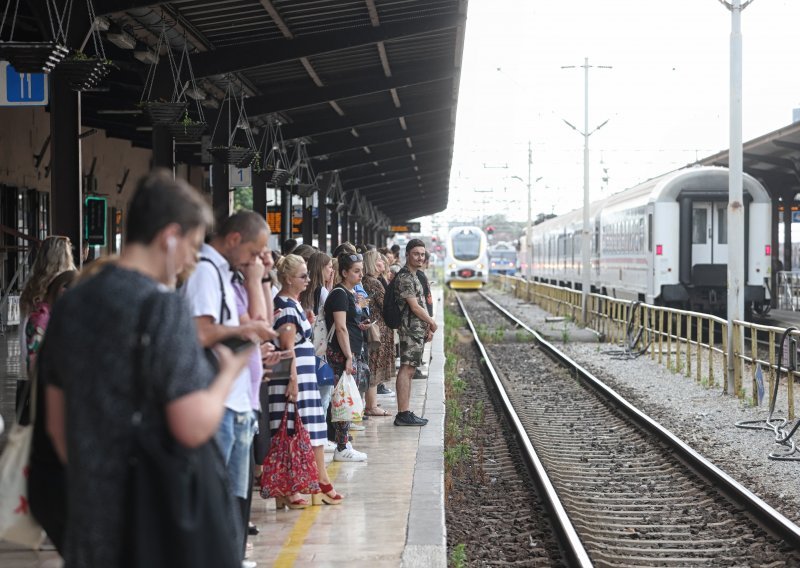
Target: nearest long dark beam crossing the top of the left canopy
{"type": "Point", "coordinates": [268, 52]}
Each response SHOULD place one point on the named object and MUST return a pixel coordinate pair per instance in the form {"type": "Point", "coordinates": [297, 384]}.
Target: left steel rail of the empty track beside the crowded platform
{"type": "Point", "coordinates": [566, 534]}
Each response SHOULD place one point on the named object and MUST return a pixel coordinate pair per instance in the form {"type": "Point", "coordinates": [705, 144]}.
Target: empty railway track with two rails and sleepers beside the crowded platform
{"type": "Point", "coordinates": [621, 490]}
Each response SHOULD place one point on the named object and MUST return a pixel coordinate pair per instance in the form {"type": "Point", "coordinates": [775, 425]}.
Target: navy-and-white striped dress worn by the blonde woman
{"type": "Point", "coordinates": [309, 403]}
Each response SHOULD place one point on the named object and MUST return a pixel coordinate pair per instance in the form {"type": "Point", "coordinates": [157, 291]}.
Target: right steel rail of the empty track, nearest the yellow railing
{"type": "Point", "coordinates": [771, 519]}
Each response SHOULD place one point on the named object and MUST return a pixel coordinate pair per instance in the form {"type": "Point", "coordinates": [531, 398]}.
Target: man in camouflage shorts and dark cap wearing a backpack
{"type": "Point", "coordinates": [416, 328]}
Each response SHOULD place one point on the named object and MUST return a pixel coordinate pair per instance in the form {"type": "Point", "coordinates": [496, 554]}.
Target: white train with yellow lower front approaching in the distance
{"type": "Point", "coordinates": [466, 265]}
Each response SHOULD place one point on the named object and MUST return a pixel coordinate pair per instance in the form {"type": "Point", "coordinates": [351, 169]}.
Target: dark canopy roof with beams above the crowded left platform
{"type": "Point", "coordinates": [369, 86]}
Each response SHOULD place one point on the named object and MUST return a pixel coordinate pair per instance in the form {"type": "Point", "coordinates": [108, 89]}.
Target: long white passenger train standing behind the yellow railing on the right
{"type": "Point", "coordinates": [664, 241]}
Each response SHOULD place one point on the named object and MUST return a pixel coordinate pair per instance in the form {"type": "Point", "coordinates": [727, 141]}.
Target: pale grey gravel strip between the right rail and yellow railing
{"type": "Point", "coordinates": [704, 418]}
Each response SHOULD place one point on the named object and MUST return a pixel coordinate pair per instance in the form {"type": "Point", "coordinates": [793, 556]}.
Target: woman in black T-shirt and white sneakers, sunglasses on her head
{"type": "Point", "coordinates": [345, 349]}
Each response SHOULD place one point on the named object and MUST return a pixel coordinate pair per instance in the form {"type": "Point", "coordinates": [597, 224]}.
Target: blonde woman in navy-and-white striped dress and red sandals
{"type": "Point", "coordinates": [294, 332]}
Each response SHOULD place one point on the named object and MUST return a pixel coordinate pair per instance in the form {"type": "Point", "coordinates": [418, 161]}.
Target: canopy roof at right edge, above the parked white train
{"type": "Point", "coordinates": [773, 159]}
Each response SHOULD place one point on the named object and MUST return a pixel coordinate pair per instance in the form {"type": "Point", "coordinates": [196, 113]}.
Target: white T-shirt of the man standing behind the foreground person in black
{"type": "Point", "coordinates": [203, 292]}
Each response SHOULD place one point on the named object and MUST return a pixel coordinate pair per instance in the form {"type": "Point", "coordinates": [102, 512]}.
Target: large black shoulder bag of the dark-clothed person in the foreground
{"type": "Point", "coordinates": [179, 510]}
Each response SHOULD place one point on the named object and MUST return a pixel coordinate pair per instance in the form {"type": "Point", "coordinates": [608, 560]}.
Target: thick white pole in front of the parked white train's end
{"type": "Point", "coordinates": [736, 228]}
